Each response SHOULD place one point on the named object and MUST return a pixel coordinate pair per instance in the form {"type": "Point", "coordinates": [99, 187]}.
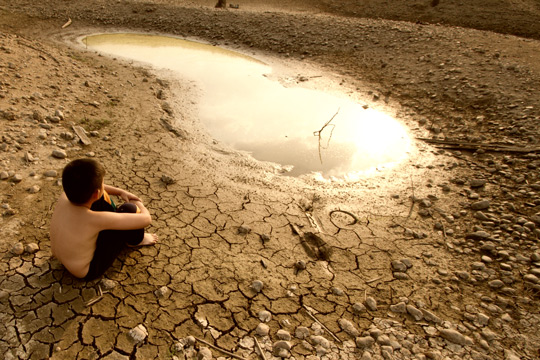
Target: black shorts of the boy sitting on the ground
{"type": "Point", "coordinates": [110, 243]}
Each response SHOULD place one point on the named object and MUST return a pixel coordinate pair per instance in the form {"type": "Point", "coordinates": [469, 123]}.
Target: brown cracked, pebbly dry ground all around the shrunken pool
{"type": "Point", "coordinates": [438, 259]}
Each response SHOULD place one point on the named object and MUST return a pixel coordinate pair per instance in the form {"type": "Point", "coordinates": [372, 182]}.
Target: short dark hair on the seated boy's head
{"type": "Point", "coordinates": [81, 178]}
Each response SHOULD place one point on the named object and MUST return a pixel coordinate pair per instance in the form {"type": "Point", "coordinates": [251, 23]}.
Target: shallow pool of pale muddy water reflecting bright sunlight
{"type": "Point", "coordinates": [309, 130]}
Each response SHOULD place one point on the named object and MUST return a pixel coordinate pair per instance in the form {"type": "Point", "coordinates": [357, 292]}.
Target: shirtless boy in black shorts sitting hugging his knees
{"type": "Point", "coordinates": [87, 231]}
